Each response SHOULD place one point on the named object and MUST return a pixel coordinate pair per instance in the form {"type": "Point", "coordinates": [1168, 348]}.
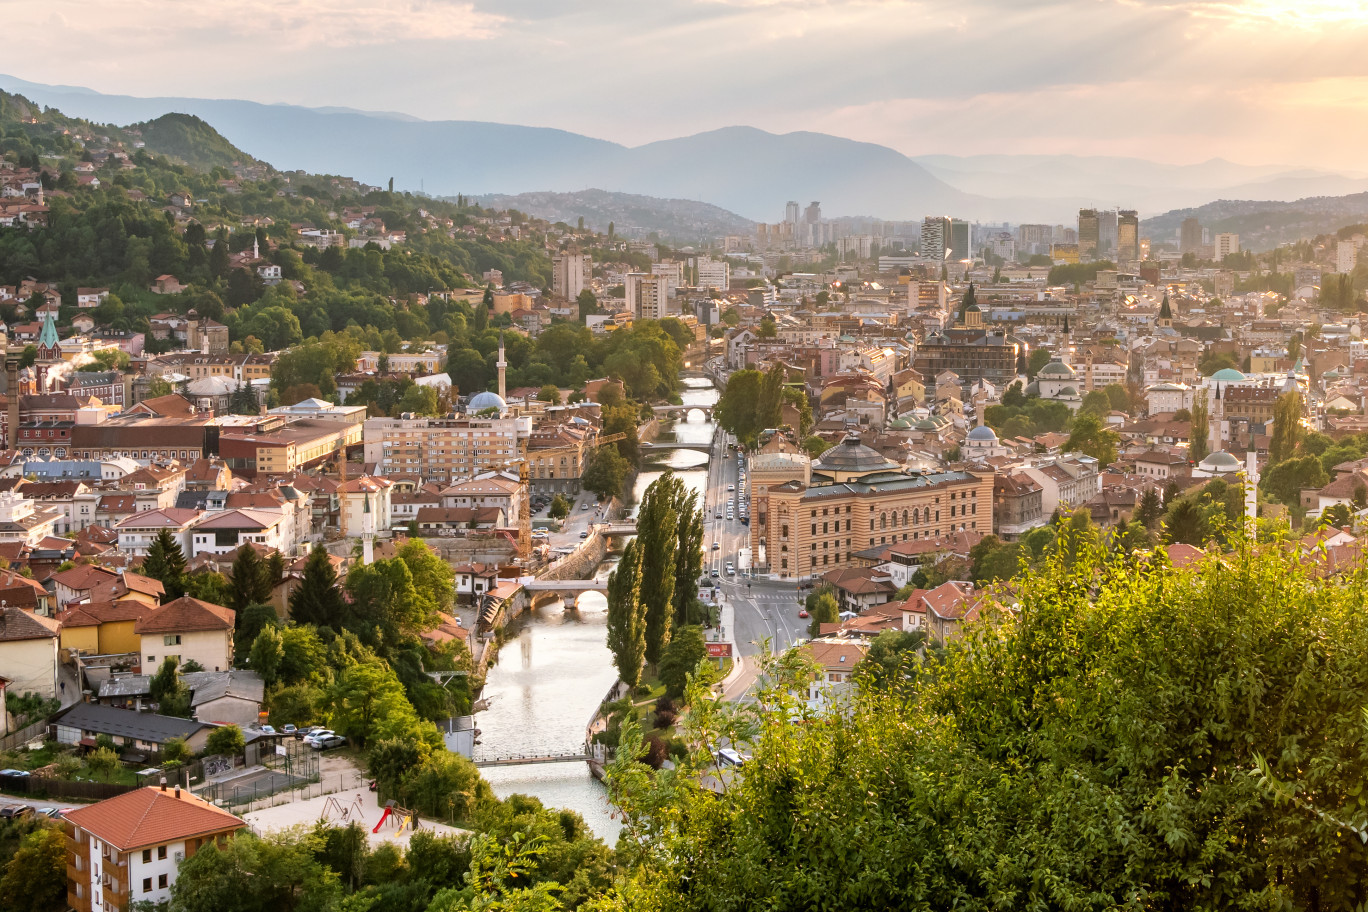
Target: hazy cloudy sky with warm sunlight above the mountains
{"type": "Point", "coordinates": [1255, 81]}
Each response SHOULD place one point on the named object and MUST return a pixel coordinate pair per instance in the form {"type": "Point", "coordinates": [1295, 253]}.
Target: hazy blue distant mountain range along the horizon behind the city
{"type": "Point", "coordinates": [739, 170]}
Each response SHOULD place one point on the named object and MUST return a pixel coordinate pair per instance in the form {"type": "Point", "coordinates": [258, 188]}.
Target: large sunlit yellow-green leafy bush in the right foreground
{"type": "Point", "coordinates": [1110, 735]}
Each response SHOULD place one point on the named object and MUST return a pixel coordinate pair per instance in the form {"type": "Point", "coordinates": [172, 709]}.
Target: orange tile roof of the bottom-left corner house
{"type": "Point", "coordinates": [151, 817]}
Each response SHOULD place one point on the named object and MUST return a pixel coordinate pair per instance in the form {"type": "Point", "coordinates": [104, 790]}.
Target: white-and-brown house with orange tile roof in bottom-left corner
{"type": "Point", "coordinates": [129, 848]}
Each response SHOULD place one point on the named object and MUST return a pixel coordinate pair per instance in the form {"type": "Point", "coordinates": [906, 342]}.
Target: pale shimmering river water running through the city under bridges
{"type": "Point", "coordinates": [556, 668]}
